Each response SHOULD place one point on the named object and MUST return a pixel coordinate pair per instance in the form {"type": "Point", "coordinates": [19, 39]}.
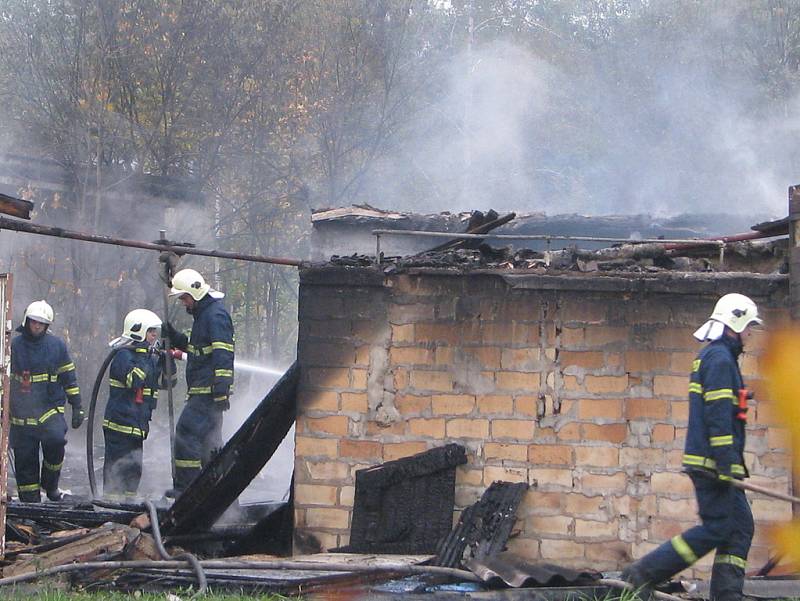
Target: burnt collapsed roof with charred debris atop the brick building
{"type": "Point", "coordinates": [585, 242]}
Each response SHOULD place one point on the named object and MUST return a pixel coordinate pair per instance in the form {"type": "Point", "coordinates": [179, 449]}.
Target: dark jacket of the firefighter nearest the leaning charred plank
{"type": "Point", "coordinates": [209, 368]}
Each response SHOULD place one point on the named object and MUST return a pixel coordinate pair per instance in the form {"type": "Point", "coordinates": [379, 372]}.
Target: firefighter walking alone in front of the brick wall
{"type": "Point", "coordinates": [713, 457]}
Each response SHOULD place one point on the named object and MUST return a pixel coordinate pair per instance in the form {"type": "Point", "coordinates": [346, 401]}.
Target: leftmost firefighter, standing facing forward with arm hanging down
{"type": "Point", "coordinates": [42, 380]}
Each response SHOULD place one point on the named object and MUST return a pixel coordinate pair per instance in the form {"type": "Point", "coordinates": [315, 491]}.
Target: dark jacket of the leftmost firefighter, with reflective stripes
{"type": "Point", "coordinates": [42, 378]}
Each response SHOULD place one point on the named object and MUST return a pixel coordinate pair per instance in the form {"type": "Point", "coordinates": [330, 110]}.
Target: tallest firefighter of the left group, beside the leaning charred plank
{"type": "Point", "coordinates": [209, 375]}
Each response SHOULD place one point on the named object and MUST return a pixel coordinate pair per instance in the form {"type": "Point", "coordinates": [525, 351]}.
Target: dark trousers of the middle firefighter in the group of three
{"type": "Point", "coordinates": [122, 469]}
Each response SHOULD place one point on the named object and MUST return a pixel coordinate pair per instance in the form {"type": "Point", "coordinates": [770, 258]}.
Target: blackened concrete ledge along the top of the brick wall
{"type": "Point", "coordinates": [703, 283]}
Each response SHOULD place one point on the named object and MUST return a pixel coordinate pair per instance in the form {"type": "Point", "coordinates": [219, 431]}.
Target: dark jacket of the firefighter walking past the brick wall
{"type": "Point", "coordinates": [716, 436]}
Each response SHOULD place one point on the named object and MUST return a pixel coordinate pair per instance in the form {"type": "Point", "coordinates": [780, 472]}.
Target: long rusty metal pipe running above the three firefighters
{"type": "Point", "coordinates": [46, 230]}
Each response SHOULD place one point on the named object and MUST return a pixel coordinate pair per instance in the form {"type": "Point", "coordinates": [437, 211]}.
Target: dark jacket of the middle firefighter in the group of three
{"type": "Point", "coordinates": [132, 368]}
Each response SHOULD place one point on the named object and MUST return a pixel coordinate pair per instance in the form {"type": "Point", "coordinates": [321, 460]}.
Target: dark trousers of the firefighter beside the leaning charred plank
{"type": "Point", "coordinates": [198, 436]}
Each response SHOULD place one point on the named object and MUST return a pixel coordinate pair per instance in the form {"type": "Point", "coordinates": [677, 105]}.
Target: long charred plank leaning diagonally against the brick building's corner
{"type": "Point", "coordinates": [223, 480]}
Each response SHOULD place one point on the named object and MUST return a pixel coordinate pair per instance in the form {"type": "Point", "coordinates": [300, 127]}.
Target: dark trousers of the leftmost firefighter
{"type": "Point", "coordinates": [26, 441]}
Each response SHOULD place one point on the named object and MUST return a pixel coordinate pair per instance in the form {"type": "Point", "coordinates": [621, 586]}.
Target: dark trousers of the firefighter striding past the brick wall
{"type": "Point", "coordinates": [727, 526]}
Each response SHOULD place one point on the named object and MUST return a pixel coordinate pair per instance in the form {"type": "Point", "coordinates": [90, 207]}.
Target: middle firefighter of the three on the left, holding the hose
{"type": "Point", "coordinates": [133, 382]}
